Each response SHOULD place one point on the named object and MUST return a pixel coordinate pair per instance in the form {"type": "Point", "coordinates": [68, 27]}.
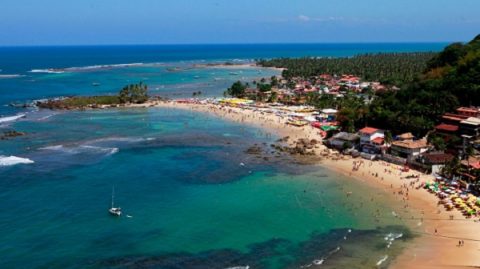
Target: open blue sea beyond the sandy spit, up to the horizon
{"type": "Point", "coordinates": [105, 65]}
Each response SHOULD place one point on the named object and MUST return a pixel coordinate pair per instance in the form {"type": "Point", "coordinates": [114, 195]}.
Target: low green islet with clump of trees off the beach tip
{"type": "Point", "coordinates": [134, 93]}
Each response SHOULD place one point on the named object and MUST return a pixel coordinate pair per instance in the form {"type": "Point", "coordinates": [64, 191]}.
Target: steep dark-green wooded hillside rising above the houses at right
{"type": "Point", "coordinates": [451, 79]}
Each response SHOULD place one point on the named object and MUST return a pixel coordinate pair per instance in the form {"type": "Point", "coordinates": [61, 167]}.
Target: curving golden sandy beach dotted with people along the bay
{"type": "Point", "coordinates": [438, 231]}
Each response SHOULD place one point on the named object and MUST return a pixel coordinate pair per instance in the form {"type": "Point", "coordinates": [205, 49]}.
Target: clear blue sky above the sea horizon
{"type": "Point", "coordinates": [81, 22]}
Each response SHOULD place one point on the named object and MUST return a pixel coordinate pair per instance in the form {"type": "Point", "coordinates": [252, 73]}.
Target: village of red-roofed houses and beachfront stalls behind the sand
{"type": "Point", "coordinates": [371, 142]}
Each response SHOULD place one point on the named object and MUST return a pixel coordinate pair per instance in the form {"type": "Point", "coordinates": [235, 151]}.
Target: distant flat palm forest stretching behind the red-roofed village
{"type": "Point", "coordinates": [388, 68]}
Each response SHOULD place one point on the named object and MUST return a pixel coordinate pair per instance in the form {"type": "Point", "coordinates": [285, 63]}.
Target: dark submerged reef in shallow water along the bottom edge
{"type": "Point", "coordinates": [339, 248]}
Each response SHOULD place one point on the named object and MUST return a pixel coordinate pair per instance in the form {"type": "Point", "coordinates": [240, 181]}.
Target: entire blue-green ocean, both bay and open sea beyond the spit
{"type": "Point", "coordinates": [191, 194]}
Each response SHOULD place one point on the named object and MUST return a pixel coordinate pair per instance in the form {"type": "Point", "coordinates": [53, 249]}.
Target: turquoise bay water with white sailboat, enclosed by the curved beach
{"type": "Point", "coordinates": [178, 175]}
